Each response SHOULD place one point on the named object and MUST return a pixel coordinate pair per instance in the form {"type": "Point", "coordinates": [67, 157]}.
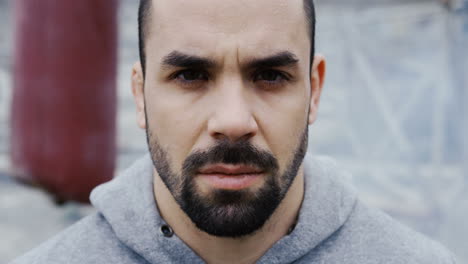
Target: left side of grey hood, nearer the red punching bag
{"type": "Point", "coordinates": [128, 205]}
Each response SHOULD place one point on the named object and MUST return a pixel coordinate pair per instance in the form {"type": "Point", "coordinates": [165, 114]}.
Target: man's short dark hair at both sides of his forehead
{"type": "Point", "coordinates": [144, 13]}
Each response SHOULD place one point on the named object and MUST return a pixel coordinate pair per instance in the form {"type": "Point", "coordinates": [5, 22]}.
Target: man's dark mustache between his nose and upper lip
{"type": "Point", "coordinates": [234, 153]}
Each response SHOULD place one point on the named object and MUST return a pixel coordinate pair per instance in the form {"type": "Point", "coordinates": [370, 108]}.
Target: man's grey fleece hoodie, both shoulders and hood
{"type": "Point", "coordinates": [333, 227]}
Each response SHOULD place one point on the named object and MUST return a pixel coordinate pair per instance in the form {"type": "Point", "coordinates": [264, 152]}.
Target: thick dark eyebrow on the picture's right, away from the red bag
{"type": "Point", "coordinates": [281, 59]}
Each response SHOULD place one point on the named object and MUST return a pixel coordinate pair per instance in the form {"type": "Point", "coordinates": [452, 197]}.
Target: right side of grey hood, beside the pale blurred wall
{"type": "Point", "coordinates": [328, 202]}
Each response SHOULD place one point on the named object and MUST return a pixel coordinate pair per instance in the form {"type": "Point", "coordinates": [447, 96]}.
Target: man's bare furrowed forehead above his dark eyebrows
{"type": "Point", "coordinates": [211, 26]}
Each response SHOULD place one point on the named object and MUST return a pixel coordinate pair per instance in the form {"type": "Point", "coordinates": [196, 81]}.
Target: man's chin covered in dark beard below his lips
{"type": "Point", "coordinates": [231, 213]}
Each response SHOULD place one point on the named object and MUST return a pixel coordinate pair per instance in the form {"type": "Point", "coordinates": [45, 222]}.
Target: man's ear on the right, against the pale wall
{"type": "Point", "coordinates": [316, 84]}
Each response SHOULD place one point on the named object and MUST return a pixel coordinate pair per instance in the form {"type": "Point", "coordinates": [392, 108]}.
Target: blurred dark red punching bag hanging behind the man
{"type": "Point", "coordinates": [64, 100]}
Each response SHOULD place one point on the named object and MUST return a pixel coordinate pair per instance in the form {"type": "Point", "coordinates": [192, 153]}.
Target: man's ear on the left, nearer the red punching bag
{"type": "Point", "coordinates": [138, 84]}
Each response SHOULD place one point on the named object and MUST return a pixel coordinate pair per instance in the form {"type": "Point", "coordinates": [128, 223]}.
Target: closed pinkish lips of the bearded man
{"type": "Point", "coordinates": [230, 177]}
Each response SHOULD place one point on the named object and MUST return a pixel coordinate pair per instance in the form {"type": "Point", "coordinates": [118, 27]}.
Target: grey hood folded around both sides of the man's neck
{"type": "Point", "coordinates": [127, 204]}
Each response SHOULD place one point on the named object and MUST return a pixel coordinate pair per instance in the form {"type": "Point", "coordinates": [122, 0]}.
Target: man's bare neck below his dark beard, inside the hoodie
{"type": "Point", "coordinates": [248, 249]}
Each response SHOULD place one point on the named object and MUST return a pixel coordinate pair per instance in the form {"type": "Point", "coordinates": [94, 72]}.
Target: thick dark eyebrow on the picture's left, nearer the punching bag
{"type": "Point", "coordinates": [182, 60]}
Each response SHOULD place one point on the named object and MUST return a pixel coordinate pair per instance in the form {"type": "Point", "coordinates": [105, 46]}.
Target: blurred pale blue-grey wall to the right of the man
{"type": "Point", "coordinates": [394, 108]}
